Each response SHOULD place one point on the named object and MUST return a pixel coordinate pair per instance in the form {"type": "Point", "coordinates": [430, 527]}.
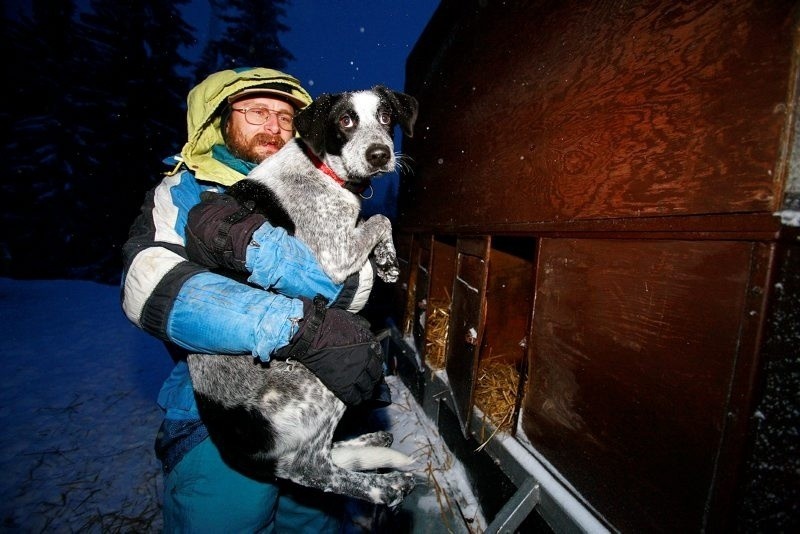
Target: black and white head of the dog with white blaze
{"type": "Point", "coordinates": [352, 131]}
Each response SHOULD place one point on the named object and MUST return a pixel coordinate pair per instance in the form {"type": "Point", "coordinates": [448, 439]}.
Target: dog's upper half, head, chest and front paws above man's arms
{"type": "Point", "coordinates": [350, 134]}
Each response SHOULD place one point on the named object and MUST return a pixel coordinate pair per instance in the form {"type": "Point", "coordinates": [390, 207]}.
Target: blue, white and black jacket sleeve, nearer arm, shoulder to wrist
{"type": "Point", "coordinates": [181, 301]}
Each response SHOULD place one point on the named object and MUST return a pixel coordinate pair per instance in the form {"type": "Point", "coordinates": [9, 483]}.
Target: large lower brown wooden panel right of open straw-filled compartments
{"type": "Point", "coordinates": [633, 354]}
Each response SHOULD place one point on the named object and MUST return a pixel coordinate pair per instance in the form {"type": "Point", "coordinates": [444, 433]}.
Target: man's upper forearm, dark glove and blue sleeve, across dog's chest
{"type": "Point", "coordinates": [222, 233]}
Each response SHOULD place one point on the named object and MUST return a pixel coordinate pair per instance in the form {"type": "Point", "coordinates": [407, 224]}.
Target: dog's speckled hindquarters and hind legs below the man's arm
{"type": "Point", "coordinates": [278, 420]}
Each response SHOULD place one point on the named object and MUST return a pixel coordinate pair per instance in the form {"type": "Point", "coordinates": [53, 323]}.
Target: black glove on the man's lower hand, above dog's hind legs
{"type": "Point", "coordinates": [339, 348]}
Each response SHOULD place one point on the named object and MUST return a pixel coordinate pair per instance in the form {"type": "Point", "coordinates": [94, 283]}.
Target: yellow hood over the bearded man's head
{"type": "Point", "coordinates": [204, 104]}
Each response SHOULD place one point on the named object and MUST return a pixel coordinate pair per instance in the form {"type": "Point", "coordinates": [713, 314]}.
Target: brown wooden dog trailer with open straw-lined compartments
{"type": "Point", "coordinates": [603, 199]}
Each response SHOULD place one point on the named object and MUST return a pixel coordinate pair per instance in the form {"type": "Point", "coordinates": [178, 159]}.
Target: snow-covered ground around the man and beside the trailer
{"type": "Point", "coordinates": [78, 419]}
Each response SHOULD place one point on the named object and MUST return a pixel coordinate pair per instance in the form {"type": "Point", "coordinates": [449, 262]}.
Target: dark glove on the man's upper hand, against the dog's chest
{"type": "Point", "coordinates": [218, 231]}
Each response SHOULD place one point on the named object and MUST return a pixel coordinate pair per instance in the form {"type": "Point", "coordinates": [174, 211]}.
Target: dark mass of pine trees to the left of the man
{"type": "Point", "coordinates": [96, 104]}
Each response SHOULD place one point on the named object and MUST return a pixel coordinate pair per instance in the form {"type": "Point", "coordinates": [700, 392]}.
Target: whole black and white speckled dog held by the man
{"type": "Point", "coordinates": [278, 419]}
